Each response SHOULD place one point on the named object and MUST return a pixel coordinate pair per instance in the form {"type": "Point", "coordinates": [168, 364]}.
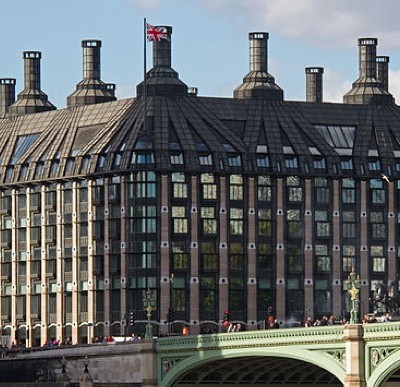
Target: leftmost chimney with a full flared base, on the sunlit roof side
{"type": "Point", "coordinates": [31, 99]}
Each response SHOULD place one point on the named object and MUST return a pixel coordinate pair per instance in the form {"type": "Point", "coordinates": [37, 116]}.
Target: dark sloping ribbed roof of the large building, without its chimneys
{"type": "Point", "coordinates": [222, 127]}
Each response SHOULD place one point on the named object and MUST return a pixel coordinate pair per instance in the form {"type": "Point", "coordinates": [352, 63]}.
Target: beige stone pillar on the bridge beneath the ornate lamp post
{"type": "Point", "coordinates": [354, 344]}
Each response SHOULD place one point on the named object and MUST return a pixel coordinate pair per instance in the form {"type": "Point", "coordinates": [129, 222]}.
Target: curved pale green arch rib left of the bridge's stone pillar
{"type": "Point", "coordinates": [318, 359]}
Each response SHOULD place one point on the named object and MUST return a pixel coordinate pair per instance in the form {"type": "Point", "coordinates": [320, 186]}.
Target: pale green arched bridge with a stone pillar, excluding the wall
{"type": "Point", "coordinates": [352, 355]}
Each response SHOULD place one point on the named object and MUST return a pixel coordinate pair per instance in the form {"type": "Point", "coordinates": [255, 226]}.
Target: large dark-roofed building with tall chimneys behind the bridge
{"type": "Point", "coordinates": [193, 206]}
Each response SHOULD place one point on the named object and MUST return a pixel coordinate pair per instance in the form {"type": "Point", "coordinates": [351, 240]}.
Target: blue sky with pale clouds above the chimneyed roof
{"type": "Point", "coordinates": [210, 47]}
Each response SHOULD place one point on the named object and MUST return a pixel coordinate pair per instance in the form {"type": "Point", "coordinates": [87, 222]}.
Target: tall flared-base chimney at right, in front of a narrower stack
{"type": "Point", "coordinates": [367, 89]}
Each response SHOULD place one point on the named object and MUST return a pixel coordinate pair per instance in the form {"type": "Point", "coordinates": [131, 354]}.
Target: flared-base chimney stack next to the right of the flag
{"type": "Point", "coordinates": [258, 83]}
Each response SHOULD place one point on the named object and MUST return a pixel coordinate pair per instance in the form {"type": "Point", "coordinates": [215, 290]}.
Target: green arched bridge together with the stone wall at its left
{"type": "Point", "coordinates": [353, 355]}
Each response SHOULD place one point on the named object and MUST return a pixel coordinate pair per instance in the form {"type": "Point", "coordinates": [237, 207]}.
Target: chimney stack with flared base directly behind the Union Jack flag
{"type": "Point", "coordinates": [162, 79]}
